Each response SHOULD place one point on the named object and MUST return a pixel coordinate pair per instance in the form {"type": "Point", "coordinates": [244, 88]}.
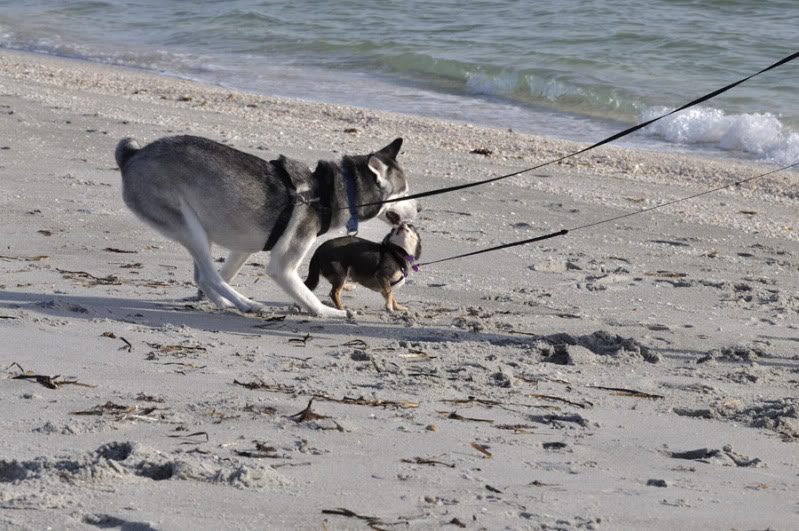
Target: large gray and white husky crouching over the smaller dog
{"type": "Point", "coordinates": [199, 192]}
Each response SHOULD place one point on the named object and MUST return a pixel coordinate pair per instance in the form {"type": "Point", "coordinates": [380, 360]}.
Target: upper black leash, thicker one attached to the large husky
{"type": "Point", "coordinates": [600, 143]}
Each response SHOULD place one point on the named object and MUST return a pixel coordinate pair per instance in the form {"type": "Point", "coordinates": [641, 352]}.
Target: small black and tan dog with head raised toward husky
{"type": "Point", "coordinates": [382, 267]}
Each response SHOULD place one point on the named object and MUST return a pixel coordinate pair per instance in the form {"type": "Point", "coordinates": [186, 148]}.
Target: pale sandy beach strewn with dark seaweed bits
{"type": "Point", "coordinates": [638, 374]}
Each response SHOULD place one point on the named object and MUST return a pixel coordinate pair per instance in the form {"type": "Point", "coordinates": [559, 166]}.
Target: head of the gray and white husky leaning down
{"type": "Point", "coordinates": [392, 183]}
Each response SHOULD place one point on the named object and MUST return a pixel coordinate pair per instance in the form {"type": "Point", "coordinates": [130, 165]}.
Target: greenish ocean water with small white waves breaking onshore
{"type": "Point", "coordinates": [573, 69]}
